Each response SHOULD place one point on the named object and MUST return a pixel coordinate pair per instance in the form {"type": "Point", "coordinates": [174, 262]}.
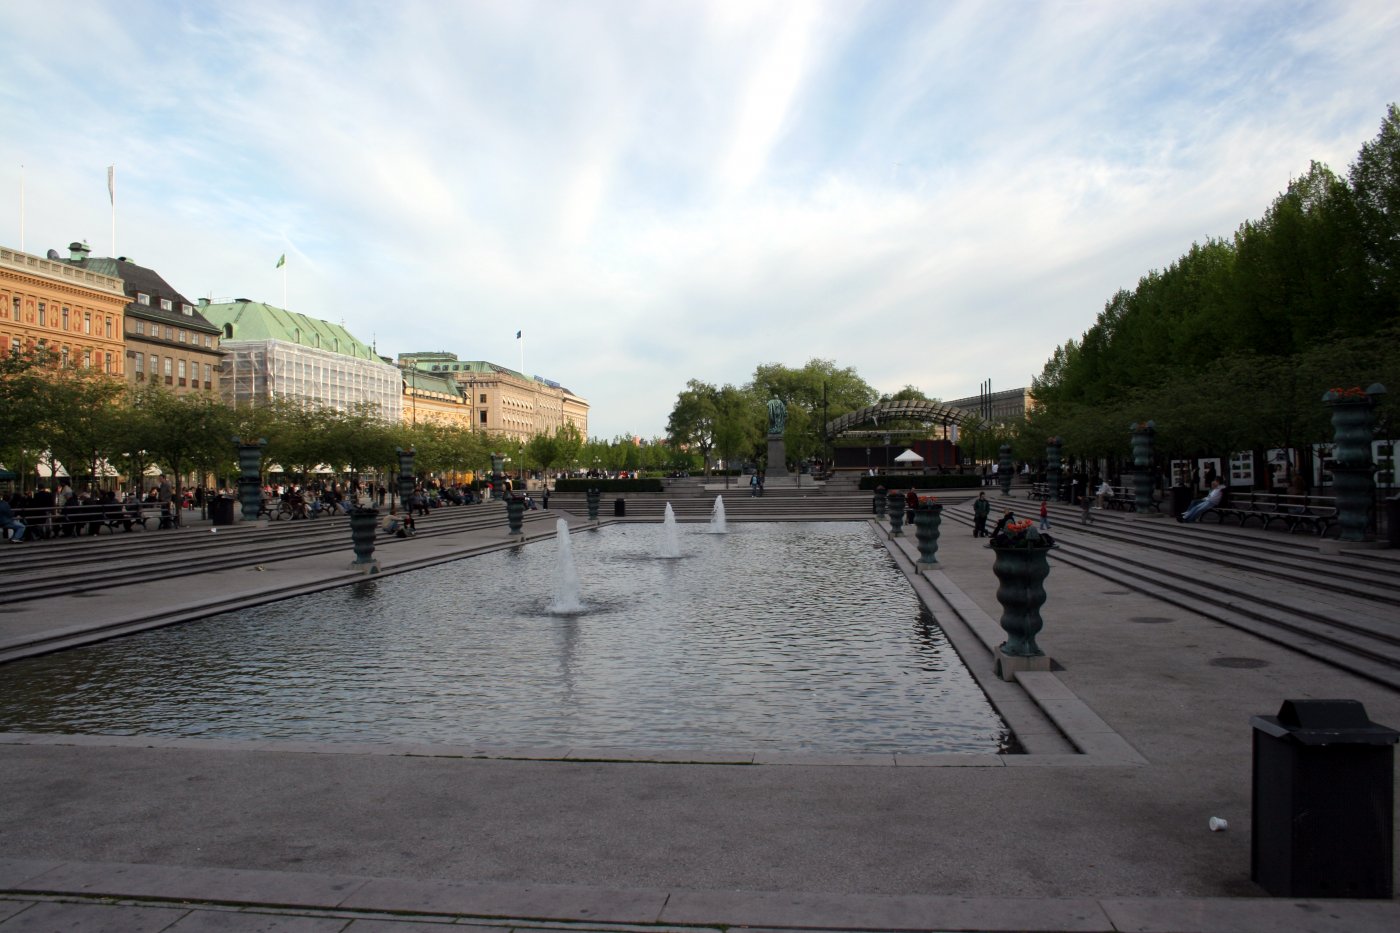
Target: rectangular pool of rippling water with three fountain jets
{"type": "Point", "coordinates": [794, 638]}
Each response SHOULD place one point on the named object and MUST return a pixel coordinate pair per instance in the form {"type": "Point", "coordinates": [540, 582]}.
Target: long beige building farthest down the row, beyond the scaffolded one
{"type": "Point", "coordinates": [502, 401]}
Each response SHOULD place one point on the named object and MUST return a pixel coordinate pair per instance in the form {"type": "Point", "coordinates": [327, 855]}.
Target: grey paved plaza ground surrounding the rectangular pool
{"type": "Point", "coordinates": [1135, 743]}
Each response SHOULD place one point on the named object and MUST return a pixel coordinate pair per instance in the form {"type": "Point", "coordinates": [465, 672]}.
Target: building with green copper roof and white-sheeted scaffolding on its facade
{"type": "Point", "coordinates": [276, 354]}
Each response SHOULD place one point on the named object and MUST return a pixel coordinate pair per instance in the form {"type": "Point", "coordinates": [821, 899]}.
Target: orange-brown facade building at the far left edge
{"type": "Point", "coordinates": [57, 305]}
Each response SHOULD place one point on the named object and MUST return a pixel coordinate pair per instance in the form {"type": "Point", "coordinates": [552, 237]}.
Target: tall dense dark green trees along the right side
{"type": "Point", "coordinates": [1233, 347]}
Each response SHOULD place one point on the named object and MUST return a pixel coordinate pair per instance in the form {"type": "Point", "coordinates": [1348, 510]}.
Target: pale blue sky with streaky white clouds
{"type": "Point", "coordinates": [933, 194]}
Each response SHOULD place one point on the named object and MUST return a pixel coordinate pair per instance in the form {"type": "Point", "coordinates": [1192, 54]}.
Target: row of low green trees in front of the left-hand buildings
{"type": "Point", "coordinates": [97, 427]}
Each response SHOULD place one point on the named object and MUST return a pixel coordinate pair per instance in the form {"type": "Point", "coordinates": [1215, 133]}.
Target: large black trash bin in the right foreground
{"type": "Point", "coordinates": [1324, 802]}
